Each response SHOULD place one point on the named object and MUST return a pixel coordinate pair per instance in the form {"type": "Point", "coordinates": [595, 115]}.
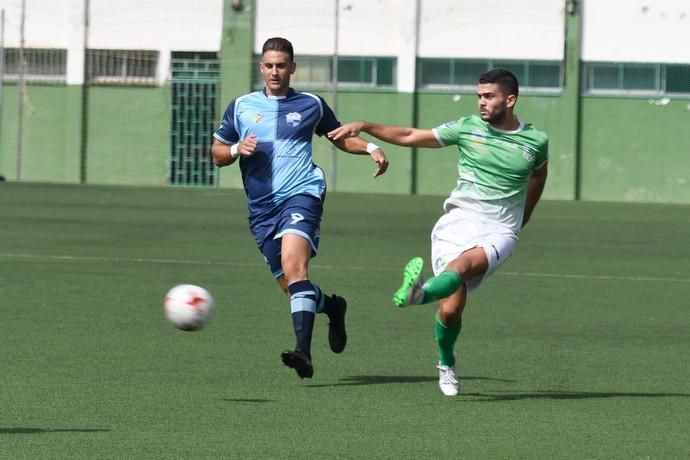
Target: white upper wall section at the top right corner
{"type": "Point", "coordinates": [637, 31]}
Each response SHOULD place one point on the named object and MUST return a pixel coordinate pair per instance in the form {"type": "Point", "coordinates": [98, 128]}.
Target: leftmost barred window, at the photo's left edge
{"type": "Point", "coordinates": [40, 65]}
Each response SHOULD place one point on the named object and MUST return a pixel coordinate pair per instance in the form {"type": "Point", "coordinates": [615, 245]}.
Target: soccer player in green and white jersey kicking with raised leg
{"type": "Point", "coordinates": [502, 170]}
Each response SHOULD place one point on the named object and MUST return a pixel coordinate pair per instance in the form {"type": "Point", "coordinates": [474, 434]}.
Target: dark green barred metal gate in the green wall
{"type": "Point", "coordinates": [194, 97]}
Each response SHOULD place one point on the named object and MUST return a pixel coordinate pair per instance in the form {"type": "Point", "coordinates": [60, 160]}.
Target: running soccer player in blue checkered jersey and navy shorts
{"type": "Point", "coordinates": [270, 132]}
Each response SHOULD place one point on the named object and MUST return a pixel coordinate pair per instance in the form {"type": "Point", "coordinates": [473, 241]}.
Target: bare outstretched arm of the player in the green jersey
{"type": "Point", "coordinates": [399, 135]}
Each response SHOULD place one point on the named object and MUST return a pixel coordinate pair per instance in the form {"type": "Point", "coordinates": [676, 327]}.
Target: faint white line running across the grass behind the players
{"type": "Point", "coordinates": [77, 258]}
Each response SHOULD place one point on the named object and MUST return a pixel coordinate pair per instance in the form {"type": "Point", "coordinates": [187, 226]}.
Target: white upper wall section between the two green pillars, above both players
{"type": "Point", "coordinates": [524, 29]}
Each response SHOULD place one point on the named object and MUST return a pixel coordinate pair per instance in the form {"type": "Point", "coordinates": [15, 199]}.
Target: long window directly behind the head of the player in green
{"type": "Point", "coordinates": [454, 74]}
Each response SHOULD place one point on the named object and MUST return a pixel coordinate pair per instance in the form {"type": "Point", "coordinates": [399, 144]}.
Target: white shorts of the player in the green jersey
{"type": "Point", "coordinates": [458, 231]}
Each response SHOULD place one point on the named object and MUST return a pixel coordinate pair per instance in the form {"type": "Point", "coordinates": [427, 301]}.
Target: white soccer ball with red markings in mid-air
{"type": "Point", "coordinates": [188, 307]}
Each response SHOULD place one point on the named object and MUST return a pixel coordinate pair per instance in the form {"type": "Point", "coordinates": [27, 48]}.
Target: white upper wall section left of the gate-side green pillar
{"type": "Point", "coordinates": [163, 25]}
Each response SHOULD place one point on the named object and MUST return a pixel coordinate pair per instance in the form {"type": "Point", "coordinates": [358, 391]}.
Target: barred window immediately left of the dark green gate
{"type": "Point", "coordinates": [121, 67]}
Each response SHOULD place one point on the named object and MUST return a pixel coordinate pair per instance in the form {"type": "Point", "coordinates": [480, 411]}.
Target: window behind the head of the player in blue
{"type": "Point", "coordinates": [353, 73]}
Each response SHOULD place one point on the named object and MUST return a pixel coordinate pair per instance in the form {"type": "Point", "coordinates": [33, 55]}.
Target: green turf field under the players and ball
{"type": "Point", "coordinates": [578, 348]}
